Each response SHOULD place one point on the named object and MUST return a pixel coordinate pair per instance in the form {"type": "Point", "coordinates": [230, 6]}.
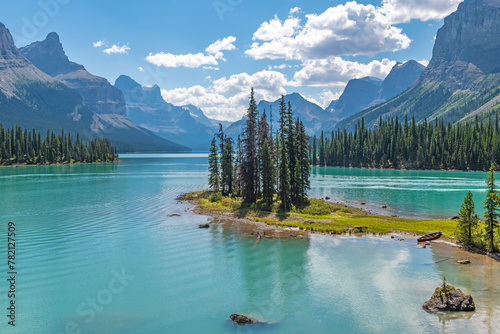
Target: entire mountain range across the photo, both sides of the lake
{"type": "Point", "coordinates": [40, 87]}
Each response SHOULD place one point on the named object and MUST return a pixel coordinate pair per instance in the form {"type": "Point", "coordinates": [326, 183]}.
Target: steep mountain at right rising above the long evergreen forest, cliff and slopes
{"type": "Point", "coordinates": [463, 76]}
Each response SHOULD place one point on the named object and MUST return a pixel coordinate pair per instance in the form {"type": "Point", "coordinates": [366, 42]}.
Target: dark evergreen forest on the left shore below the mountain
{"type": "Point", "coordinates": [19, 146]}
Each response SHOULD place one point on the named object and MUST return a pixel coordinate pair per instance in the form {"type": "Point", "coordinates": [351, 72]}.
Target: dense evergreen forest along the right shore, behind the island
{"type": "Point", "coordinates": [408, 145]}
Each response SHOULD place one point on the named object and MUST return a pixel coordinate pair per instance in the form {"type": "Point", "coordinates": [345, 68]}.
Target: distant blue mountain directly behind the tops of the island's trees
{"type": "Point", "coordinates": [309, 113]}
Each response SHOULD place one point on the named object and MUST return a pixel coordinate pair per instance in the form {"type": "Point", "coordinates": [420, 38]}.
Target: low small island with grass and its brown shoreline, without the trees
{"type": "Point", "coordinates": [316, 215]}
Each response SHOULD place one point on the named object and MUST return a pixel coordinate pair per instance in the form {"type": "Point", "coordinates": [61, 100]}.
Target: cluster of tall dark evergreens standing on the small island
{"type": "Point", "coordinates": [263, 164]}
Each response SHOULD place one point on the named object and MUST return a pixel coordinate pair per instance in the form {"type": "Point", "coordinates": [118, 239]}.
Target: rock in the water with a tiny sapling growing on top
{"type": "Point", "coordinates": [453, 300]}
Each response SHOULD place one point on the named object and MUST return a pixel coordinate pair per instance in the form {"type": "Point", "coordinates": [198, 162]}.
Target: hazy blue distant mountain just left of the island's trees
{"type": "Point", "coordinates": [186, 125]}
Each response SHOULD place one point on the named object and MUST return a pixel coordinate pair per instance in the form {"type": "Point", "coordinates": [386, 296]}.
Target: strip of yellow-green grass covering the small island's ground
{"type": "Point", "coordinates": [320, 215]}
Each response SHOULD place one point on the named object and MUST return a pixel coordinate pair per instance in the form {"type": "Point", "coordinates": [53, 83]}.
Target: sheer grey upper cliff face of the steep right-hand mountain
{"type": "Point", "coordinates": [467, 46]}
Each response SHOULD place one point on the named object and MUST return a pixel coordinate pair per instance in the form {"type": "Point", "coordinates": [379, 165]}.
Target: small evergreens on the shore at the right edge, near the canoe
{"type": "Point", "coordinates": [470, 230]}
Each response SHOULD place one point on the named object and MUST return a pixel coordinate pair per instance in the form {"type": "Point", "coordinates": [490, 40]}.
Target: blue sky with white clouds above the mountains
{"type": "Point", "coordinates": [209, 53]}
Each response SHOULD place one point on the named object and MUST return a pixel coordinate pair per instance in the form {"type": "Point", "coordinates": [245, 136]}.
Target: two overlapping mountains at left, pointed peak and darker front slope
{"type": "Point", "coordinates": [32, 98]}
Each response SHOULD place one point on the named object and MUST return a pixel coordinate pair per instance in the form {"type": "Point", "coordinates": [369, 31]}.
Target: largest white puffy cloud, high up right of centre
{"type": "Point", "coordinates": [346, 29]}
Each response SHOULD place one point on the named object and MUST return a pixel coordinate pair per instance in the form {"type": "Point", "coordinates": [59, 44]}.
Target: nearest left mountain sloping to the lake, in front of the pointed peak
{"type": "Point", "coordinates": [32, 99]}
